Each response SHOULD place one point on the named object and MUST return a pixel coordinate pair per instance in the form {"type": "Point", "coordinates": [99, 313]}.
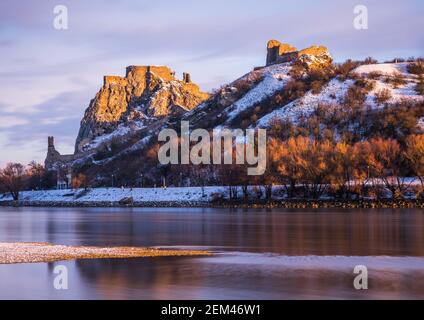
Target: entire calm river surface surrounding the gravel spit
{"type": "Point", "coordinates": [260, 254]}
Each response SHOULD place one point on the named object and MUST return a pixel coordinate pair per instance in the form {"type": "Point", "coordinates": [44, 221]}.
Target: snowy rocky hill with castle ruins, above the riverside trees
{"type": "Point", "coordinates": [295, 89]}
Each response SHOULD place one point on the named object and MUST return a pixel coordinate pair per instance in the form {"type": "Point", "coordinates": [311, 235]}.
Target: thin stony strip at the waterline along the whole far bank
{"type": "Point", "coordinates": [285, 204]}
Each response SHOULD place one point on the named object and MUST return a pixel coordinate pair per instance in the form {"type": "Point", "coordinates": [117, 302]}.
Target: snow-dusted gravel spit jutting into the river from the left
{"type": "Point", "coordinates": [45, 252]}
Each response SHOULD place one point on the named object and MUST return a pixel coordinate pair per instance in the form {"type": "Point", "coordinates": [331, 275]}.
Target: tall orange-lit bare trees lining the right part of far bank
{"type": "Point", "coordinates": [342, 169]}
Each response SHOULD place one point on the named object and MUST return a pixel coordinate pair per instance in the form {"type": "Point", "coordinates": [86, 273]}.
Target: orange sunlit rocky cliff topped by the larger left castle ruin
{"type": "Point", "coordinates": [145, 93]}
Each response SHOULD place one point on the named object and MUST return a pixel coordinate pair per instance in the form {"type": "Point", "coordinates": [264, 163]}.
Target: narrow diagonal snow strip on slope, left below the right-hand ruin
{"type": "Point", "coordinates": [274, 78]}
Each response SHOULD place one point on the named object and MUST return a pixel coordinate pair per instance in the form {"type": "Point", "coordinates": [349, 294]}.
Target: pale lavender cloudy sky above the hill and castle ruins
{"type": "Point", "coordinates": [49, 76]}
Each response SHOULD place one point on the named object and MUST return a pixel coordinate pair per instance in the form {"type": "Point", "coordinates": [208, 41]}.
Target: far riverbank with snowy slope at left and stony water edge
{"type": "Point", "coordinates": [183, 197]}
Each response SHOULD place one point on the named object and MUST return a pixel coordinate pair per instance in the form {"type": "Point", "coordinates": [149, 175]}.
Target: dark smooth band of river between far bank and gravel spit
{"type": "Point", "coordinates": [356, 232]}
